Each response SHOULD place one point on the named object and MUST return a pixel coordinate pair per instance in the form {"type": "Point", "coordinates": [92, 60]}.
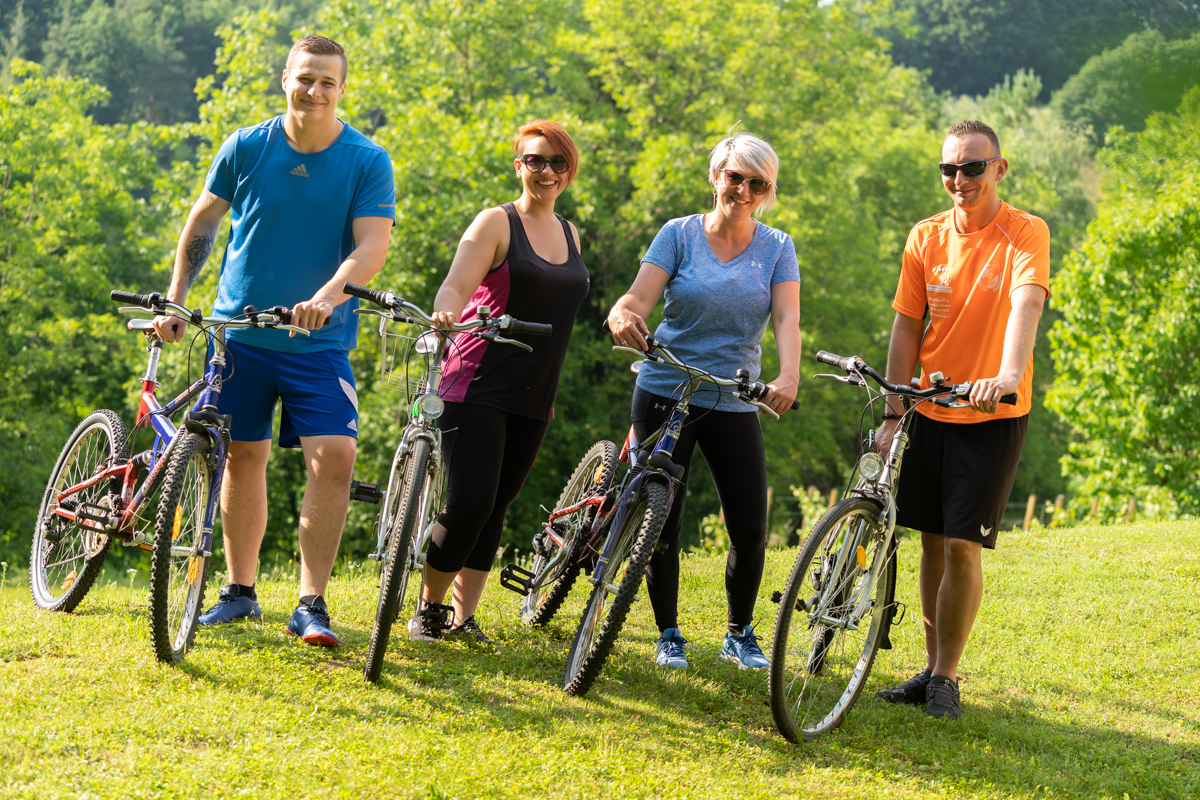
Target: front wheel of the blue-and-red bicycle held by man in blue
{"type": "Point", "coordinates": [177, 580]}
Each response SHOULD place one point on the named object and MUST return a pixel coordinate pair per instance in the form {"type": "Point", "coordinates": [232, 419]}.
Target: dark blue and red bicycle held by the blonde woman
{"type": "Point", "coordinates": [625, 521]}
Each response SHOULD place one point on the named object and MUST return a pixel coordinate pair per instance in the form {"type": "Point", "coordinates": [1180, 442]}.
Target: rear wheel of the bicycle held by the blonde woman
{"type": "Point", "coordinates": [592, 477]}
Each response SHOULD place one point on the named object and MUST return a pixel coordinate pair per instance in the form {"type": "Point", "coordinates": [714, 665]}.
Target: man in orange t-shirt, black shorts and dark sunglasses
{"type": "Point", "coordinates": [983, 272]}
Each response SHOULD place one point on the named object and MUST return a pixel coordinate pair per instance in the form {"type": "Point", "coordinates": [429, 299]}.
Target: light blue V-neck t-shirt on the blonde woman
{"type": "Point", "coordinates": [716, 314]}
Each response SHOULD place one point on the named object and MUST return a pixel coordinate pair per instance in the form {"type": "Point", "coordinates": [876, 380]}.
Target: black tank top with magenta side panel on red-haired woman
{"type": "Point", "coordinates": [535, 291]}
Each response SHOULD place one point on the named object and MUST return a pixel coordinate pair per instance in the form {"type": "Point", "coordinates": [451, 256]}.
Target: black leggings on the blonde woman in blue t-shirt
{"type": "Point", "coordinates": [733, 447]}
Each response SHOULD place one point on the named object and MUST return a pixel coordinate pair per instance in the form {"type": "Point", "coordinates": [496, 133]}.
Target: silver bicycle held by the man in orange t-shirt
{"type": "Point", "coordinates": [839, 604]}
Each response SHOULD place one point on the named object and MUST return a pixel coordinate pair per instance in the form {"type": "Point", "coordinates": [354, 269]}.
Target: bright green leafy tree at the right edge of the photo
{"type": "Point", "coordinates": [1126, 346]}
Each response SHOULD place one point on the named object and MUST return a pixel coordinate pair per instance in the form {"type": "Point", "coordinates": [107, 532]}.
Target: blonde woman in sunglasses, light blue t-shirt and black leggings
{"type": "Point", "coordinates": [724, 276]}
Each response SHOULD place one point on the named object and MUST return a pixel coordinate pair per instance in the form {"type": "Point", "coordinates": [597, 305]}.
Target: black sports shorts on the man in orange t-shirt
{"type": "Point", "coordinates": [956, 479]}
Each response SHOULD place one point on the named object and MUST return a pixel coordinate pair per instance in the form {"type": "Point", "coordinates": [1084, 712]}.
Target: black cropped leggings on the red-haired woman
{"type": "Point", "coordinates": [488, 456]}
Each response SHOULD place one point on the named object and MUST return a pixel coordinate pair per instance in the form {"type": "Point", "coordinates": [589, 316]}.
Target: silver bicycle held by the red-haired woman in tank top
{"type": "Point", "coordinates": [412, 500]}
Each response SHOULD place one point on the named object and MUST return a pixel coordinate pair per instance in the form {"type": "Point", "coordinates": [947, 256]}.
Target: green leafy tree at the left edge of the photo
{"type": "Point", "coordinates": [80, 215]}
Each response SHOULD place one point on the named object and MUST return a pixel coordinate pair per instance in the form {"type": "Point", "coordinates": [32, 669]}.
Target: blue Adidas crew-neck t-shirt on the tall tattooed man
{"type": "Point", "coordinates": [292, 226]}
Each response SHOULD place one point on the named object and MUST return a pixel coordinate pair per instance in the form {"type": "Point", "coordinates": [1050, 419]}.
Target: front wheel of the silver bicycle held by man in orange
{"type": "Point", "coordinates": [833, 673]}
